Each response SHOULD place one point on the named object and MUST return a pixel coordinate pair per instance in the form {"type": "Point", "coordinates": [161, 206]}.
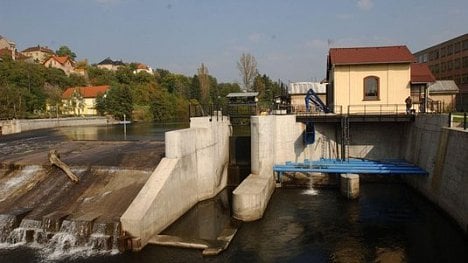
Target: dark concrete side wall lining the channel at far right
{"type": "Point", "coordinates": [443, 152]}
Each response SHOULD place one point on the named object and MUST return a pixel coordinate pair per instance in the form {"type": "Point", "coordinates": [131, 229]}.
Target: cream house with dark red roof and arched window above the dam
{"type": "Point", "coordinates": [372, 79]}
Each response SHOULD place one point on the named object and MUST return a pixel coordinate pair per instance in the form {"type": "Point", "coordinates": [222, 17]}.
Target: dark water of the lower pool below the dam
{"type": "Point", "coordinates": [388, 223]}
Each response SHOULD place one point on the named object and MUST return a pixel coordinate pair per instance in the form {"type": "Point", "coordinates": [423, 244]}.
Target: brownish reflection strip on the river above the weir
{"type": "Point", "coordinates": [118, 132]}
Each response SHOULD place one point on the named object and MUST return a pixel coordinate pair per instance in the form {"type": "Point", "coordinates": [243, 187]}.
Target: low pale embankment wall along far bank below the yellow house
{"type": "Point", "coordinates": [35, 124]}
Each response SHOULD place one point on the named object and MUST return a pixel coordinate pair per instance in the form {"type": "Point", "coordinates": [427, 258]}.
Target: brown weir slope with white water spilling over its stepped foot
{"type": "Point", "coordinates": [42, 209]}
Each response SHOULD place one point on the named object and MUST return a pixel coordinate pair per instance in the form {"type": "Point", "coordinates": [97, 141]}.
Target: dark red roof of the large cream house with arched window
{"type": "Point", "coordinates": [370, 55]}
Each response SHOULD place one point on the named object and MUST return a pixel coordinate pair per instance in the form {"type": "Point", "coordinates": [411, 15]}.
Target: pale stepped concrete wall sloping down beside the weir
{"type": "Point", "coordinates": [194, 169]}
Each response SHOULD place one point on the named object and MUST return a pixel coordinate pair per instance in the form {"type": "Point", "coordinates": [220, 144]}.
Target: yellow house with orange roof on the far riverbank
{"type": "Point", "coordinates": [82, 100]}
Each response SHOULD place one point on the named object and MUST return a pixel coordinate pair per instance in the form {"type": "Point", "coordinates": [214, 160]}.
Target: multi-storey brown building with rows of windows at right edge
{"type": "Point", "coordinates": [449, 61]}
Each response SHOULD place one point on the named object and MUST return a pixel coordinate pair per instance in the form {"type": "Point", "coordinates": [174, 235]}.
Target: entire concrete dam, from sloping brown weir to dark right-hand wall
{"type": "Point", "coordinates": [126, 203]}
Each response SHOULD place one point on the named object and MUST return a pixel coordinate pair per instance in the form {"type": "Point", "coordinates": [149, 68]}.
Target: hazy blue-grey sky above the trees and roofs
{"type": "Point", "coordinates": [290, 39]}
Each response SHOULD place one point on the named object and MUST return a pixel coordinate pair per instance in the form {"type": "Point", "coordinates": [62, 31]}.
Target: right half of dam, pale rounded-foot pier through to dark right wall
{"type": "Point", "coordinates": [426, 142]}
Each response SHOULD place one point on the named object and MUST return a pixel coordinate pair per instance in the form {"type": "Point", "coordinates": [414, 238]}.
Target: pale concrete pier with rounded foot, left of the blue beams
{"type": "Point", "coordinates": [273, 140]}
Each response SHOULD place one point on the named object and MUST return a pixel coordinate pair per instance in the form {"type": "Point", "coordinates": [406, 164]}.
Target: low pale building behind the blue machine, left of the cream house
{"type": "Point", "coordinates": [298, 90]}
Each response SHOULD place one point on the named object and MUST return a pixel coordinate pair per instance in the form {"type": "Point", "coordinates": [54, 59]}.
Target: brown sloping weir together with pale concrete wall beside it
{"type": "Point", "coordinates": [127, 192]}
